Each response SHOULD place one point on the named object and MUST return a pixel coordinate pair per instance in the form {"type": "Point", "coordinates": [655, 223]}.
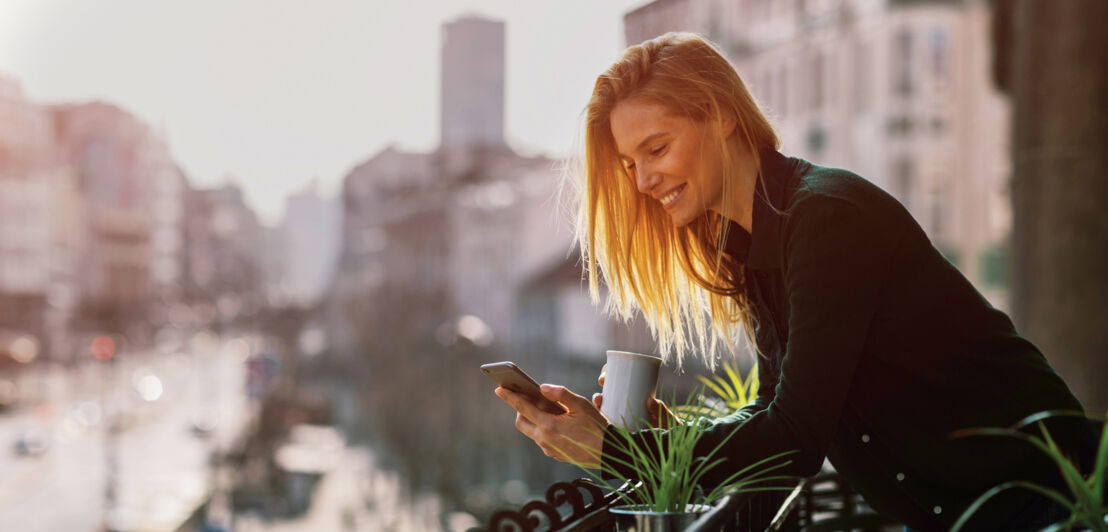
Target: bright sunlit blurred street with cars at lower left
{"type": "Point", "coordinates": [162, 468]}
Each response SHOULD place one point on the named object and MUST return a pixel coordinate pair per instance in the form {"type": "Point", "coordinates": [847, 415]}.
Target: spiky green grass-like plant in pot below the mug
{"type": "Point", "coordinates": [669, 474]}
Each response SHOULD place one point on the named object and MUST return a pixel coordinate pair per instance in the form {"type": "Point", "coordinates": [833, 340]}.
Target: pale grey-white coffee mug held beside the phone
{"type": "Point", "coordinates": [630, 382]}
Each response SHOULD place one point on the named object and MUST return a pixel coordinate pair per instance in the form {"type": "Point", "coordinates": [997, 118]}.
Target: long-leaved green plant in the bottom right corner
{"type": "Point", "coordinates": [1086, 504]}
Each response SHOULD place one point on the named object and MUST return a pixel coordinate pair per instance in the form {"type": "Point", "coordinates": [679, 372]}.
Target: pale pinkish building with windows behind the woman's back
{"type": "Point", "coordinates": [898, 91]}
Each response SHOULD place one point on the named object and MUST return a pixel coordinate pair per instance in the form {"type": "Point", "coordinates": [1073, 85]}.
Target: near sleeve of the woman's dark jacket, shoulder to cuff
{"type": "Point", "coordinates": [837, 263]}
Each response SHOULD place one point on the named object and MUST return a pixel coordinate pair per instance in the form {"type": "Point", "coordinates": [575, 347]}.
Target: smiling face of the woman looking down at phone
{"type": "Point", "coordinates": [668, 157]}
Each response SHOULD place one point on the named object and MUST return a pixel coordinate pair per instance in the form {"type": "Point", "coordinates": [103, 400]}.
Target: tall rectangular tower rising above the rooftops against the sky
{"type": "Point", "coordinates": [473, 84]}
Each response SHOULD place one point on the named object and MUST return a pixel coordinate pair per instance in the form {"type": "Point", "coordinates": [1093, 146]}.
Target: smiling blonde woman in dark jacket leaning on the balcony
{"type": "Point", "coordinates": [873, 349]}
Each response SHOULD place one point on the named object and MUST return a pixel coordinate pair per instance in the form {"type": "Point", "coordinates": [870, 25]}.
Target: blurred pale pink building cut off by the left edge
{"type": "Point", "coordinates": [42, 214]}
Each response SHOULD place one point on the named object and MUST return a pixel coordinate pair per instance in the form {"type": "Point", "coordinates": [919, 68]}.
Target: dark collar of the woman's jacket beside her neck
{"type": "Point", "coordinates": [763, 250]}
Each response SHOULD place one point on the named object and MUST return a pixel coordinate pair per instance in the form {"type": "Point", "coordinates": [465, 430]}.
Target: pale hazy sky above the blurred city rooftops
{"type": "Point", "coordinates": [276, 95]}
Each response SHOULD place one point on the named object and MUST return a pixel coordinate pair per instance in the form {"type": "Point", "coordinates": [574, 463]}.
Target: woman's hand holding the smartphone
{"type": "Point", "coordinates": [574, 437]}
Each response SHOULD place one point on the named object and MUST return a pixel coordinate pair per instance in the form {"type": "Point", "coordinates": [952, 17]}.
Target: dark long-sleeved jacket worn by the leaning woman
{"type": "Point", "coordinates": [876, 350]}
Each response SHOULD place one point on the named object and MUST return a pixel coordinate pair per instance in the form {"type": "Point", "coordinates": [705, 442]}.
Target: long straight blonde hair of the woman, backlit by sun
{"type": "Point", "coordinates": [678, 278]}
